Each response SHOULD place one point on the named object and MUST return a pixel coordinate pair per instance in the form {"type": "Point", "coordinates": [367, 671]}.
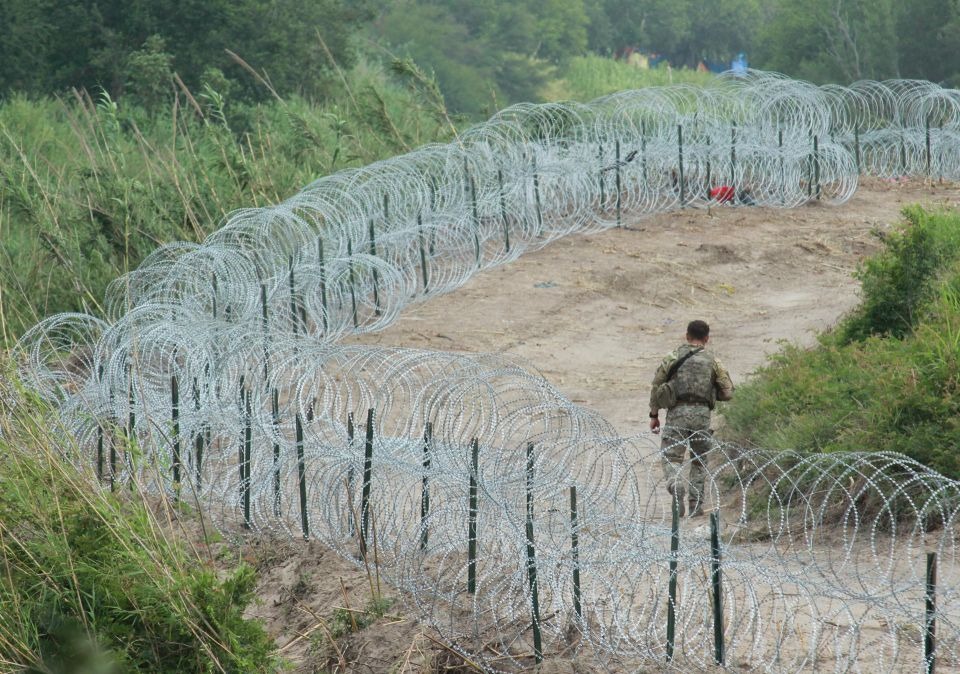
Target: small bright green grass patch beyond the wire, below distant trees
{"type": "Point", "coordinates": [589, 77]}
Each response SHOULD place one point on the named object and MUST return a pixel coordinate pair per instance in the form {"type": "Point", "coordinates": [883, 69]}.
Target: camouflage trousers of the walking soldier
{"type": "Point", "coordinates": [687, 428]}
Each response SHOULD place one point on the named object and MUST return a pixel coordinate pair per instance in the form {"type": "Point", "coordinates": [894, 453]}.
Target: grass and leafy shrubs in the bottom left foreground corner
{"type": "Point", "coordinates": [96, 583]}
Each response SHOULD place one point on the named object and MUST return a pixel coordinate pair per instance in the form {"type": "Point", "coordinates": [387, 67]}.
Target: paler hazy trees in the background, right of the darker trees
{"type": "Point", "coordinates": [509, 46]}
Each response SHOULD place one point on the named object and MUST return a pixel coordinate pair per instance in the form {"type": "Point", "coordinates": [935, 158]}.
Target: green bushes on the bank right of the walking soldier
{"type": "Point", "coordinates": [888, 377]}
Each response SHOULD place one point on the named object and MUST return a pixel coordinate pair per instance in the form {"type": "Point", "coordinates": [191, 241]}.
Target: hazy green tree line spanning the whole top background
{"type": "Point", "coordinates": [483, 53]}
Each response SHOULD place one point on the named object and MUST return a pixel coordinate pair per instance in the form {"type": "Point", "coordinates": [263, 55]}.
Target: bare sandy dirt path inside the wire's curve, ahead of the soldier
{"type": "Point", "coordinates": [595, 314]}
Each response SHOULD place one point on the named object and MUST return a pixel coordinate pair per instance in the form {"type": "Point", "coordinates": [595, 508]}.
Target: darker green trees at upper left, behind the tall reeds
{"type": "Point", "coordinates": [50, 46]}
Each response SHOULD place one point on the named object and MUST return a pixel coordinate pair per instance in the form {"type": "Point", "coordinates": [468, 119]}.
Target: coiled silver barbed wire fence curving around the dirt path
{"type": "Point", "coordinates": [221, 362]}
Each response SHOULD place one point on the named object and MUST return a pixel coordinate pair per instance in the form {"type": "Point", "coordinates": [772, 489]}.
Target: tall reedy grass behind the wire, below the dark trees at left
{"type": "Point", "coordinates": [89, 186]}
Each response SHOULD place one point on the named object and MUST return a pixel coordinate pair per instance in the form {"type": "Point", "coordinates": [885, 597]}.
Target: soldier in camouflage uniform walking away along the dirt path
{"type": "Point", "coordinates": [688, 384]}
